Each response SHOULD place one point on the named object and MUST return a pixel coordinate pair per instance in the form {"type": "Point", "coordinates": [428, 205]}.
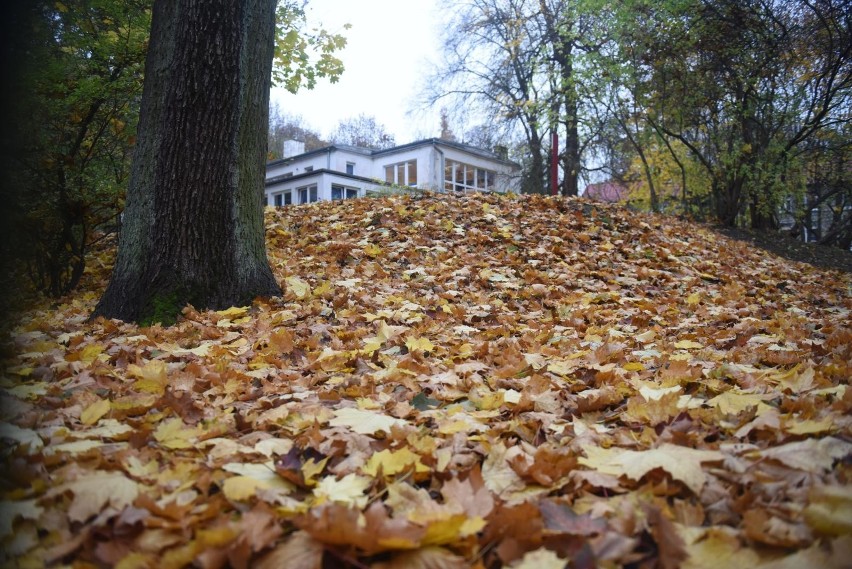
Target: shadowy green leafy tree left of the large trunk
{"type": "Point", "coordinates": [76, 106]}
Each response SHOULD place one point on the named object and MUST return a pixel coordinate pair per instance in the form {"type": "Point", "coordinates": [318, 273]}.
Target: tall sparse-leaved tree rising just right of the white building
{"type": "Point", "coordinates": [522, 63]}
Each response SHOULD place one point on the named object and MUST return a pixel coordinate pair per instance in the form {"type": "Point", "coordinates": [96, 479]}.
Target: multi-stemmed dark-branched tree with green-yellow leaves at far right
{"type": "Point", "coordinates": [743, 85]}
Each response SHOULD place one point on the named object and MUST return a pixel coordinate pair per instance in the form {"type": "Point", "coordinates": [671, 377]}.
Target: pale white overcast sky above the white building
{"type": "Point", "coordinates": [389, 47]}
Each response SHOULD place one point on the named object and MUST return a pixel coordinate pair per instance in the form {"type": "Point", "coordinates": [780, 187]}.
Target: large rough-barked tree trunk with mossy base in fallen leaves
{"type": "Point", "coordinates": [193, 226]}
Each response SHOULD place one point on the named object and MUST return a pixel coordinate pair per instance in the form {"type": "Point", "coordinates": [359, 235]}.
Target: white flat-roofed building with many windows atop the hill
{"type": "Point", "coordinates": [340, 171]}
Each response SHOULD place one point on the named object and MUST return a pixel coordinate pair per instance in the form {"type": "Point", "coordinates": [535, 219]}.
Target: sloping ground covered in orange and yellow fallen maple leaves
{"type": "Point", "coordinates": [448, 382]}
